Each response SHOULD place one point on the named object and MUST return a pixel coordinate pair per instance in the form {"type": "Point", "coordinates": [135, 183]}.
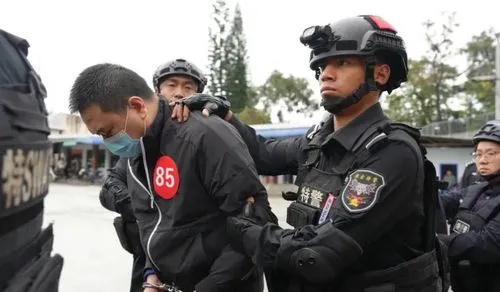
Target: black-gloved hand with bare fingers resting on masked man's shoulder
{"type": "Point", "coordinates": [208, 104]}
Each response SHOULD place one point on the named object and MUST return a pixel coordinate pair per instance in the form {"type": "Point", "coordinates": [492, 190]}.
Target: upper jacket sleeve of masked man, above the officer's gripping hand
{"type": "Point", "coordinates": [226, 168]}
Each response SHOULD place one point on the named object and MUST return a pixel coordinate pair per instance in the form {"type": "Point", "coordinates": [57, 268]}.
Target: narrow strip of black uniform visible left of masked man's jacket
{"type": "Point", "coordinates": [114, 197]}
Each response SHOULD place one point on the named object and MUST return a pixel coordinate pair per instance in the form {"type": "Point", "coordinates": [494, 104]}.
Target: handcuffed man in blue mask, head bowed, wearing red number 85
{"type": "Point", "coordinates": [184, 180]}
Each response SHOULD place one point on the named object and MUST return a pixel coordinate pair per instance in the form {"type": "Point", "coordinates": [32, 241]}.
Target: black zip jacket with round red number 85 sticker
{"type": "Point", "coordinates": [197, 173]}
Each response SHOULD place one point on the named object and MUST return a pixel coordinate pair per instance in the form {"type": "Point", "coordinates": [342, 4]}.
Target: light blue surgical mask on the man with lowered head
{"type": "Point", "coordinates": [122, 144]}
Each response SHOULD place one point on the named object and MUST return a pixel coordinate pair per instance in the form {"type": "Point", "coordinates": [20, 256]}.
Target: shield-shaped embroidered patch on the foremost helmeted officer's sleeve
{"type": "Point", "coordinates": [362, 190]}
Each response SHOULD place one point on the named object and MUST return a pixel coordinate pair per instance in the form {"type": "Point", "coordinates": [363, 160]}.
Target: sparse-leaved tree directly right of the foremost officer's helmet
{"type": "Point", "coordinates": [431, 81]}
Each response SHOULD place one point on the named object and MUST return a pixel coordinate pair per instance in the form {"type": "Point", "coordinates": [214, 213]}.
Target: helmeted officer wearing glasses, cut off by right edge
{"type": "Point", "coordinates": [474, 245]}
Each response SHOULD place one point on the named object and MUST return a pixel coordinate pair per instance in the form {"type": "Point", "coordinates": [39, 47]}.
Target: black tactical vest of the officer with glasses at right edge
{"type": "Point", "coordinates": [467, 275]}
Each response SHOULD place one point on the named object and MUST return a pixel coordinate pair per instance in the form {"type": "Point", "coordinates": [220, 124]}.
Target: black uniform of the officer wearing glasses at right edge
{"type": "Point", "coordinates": [473, 245]}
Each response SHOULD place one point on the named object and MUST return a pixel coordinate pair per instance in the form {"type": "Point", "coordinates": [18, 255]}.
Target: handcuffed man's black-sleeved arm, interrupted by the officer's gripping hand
{"type": "Point", "coordinates": [228, 174]}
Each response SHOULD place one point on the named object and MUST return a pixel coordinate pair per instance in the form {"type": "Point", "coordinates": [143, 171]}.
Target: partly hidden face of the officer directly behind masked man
{"type": "Point", "coordinates": [177, 87]}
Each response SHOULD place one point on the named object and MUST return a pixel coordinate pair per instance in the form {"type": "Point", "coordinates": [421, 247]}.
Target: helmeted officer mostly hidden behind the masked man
{"type": "Point", "coordinates": [173, 80]}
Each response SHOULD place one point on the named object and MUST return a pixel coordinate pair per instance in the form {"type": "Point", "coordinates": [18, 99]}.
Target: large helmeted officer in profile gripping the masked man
{"type": "Point", "coordinates": [365, 213]}
